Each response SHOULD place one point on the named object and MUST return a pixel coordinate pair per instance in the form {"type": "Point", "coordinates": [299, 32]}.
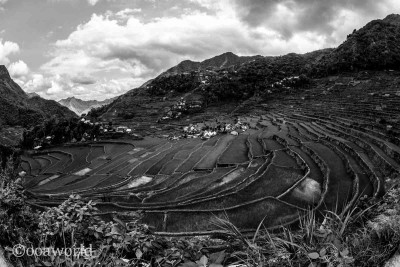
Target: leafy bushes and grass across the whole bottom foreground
{"type": "Point", "coordinates": [367, 235]}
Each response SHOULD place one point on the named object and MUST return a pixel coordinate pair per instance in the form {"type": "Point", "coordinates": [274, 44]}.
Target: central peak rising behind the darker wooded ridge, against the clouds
{"type": "Point", "coordinates": [221, 61]}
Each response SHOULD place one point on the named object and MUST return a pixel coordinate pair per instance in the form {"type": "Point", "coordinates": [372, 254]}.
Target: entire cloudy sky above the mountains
{"type": "Point", "coordinates": [96, 49]}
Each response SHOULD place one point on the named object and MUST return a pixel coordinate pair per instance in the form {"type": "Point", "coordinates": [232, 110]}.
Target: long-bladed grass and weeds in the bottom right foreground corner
{"type": "Point", "coordinates": [366, 235]}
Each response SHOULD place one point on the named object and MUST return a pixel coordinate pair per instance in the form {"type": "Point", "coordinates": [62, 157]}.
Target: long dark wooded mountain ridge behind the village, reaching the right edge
{"type": "Point", "coordinates": [229, 78]}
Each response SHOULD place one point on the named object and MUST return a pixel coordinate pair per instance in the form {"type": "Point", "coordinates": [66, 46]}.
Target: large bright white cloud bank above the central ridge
{"type": "Point", "coordinates": [128, 51]}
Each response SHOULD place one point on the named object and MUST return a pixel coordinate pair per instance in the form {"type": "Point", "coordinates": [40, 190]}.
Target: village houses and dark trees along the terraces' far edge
{"type": "Point", "coordinates": [88, 129]}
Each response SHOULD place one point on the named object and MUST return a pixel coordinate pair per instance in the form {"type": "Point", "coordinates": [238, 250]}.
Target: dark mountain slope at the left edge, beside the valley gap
{"type": "Point", "coordinates": [18, 109]}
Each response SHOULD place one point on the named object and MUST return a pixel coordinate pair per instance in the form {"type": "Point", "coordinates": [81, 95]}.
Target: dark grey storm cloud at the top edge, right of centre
{"type": "Point", "coordinates": [306, 15]}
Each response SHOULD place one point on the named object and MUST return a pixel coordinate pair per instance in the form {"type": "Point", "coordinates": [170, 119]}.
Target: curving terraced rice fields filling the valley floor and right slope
{"type": "Point", "coordinates": [296, 157]}
